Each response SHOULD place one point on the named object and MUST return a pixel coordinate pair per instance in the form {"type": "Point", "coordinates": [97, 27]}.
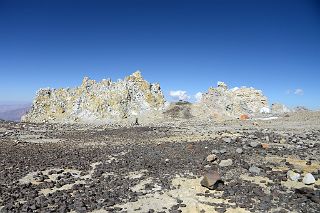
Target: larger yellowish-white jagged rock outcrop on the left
{"type": "Point", "coordinates": [92, 101]}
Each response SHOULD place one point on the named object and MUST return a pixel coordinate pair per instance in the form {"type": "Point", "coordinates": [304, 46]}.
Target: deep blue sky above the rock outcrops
{"type": "Point", "coordinates": [271, 45]}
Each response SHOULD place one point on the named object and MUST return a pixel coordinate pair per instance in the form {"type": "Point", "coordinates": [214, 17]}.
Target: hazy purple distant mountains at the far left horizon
{"type": "Point", "coordinates": [13, 112]}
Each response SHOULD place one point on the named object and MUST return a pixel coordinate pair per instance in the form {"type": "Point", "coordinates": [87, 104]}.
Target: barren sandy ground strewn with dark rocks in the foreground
{"type": "Point", "coordinates": [179, 166]}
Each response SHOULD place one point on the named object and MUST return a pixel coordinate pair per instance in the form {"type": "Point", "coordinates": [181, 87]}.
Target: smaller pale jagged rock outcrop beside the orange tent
{"type": "Point", "coordinates": [233, 102]}
